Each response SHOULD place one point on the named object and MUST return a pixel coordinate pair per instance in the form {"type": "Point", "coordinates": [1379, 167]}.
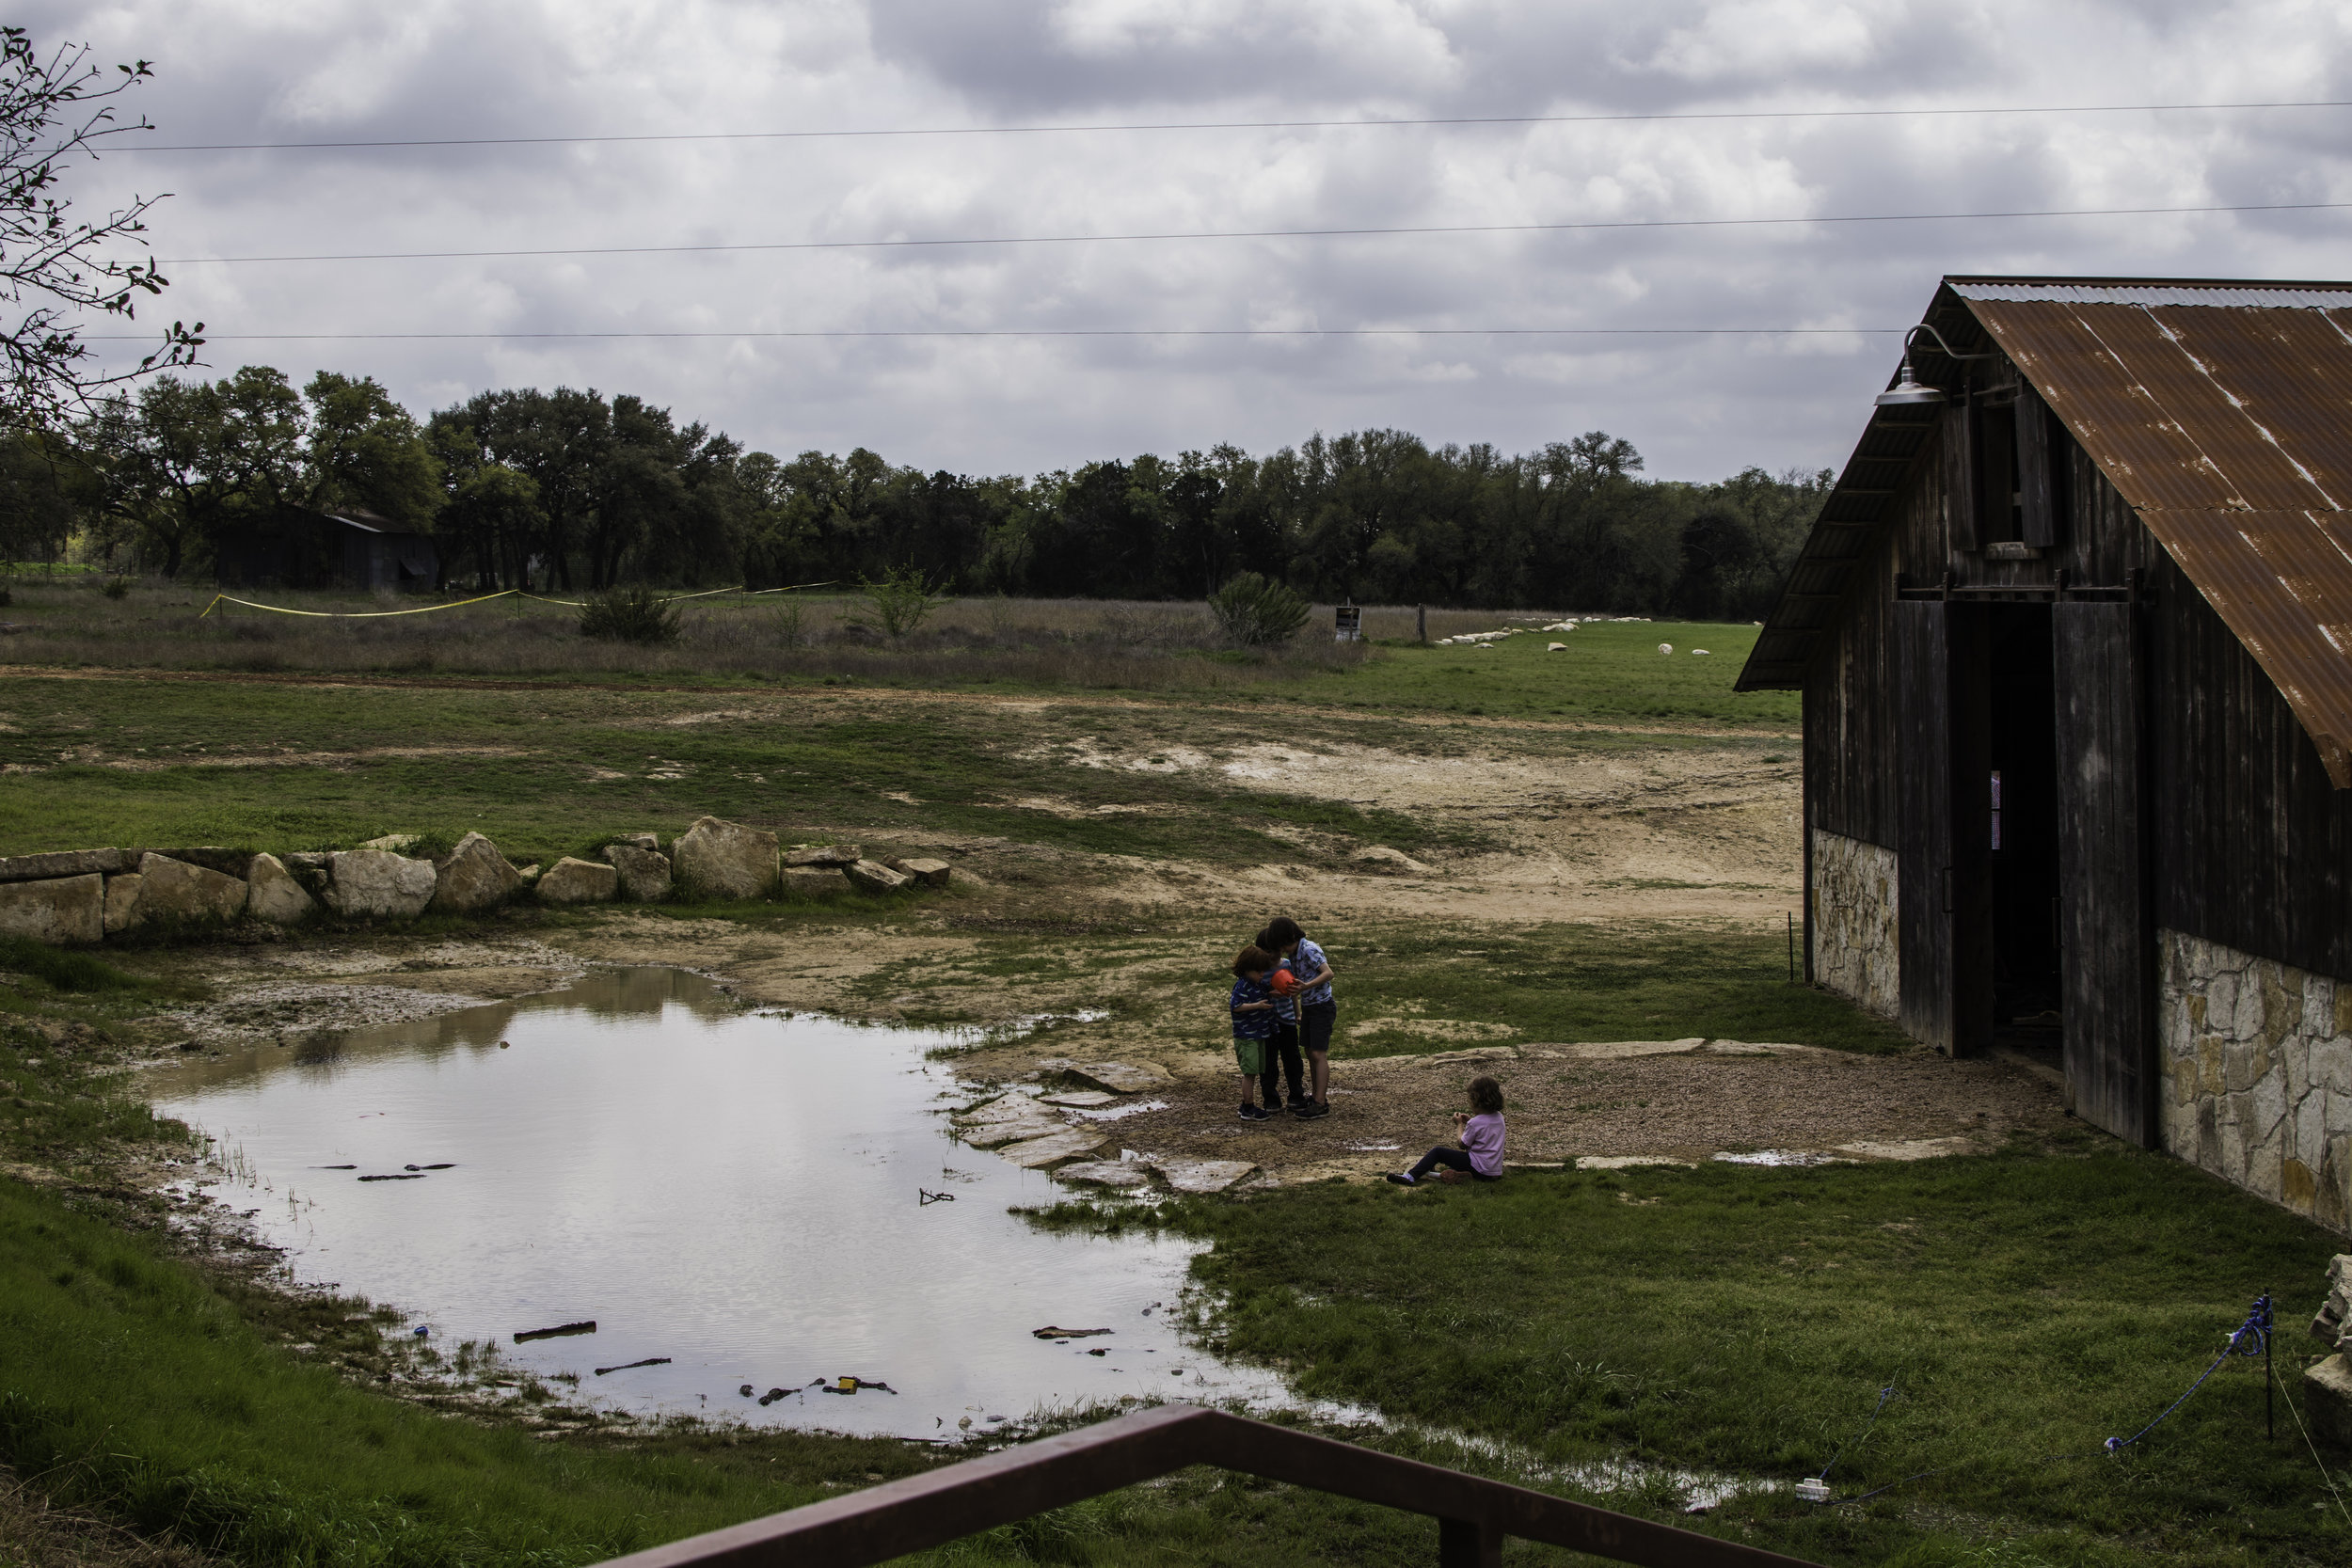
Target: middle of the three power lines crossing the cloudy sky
{"type": "Point", "coordinates": [1267, 234]}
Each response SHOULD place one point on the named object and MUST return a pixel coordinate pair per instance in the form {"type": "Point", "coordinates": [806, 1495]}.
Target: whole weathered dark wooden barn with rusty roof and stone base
{"type": "Point", "coordinates": [2076, 648]}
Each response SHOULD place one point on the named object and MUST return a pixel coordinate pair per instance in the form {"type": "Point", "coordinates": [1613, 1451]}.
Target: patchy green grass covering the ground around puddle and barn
{"type": "Point", "coordinates": [1723, 1320]}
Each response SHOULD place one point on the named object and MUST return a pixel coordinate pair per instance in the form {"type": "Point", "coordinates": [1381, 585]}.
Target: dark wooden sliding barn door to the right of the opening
{"type": "Point", "coordinates": [2104, 909]}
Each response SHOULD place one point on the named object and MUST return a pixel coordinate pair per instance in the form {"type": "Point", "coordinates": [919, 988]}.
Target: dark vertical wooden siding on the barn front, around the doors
{"type": "Point", "coordinates": [2247, 840]}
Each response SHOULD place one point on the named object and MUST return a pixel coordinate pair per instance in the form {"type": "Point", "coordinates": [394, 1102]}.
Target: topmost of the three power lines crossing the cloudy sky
{"type": "Point", "coordinates": [1234, 126]}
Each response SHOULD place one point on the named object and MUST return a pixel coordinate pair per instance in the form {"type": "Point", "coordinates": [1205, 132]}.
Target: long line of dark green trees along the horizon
{"type": "Point", "coordinates": [582, 492]}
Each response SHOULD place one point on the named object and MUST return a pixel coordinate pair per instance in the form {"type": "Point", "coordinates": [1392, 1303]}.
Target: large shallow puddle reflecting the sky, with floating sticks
{"type": "Point", "coordinates": [737, 1193]}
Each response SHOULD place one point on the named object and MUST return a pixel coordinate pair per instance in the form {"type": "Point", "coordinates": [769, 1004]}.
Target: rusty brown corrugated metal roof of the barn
{"type": "Point", "coordinates": [2224, 415]}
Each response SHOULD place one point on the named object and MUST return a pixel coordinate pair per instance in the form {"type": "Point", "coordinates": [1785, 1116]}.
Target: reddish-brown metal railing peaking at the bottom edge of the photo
{"type": "Point", "coordinates": [918, 1513]}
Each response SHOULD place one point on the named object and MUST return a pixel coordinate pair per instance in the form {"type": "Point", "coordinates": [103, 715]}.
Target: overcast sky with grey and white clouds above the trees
{"type": "Point", "coordinates": [1697, 408]}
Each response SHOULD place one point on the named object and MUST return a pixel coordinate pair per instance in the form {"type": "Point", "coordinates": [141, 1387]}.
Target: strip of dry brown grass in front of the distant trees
{"type": "Point", "coordinates": [1057, 643]}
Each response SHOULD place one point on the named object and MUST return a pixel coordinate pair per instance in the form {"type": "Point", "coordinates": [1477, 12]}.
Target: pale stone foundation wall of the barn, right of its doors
{"type": "Point", "coordinates": [2257, 1064]}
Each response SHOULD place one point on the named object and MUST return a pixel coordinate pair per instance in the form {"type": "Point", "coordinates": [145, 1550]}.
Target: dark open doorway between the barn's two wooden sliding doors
{"type": "Point", "coordinates": [2022, 831]}
